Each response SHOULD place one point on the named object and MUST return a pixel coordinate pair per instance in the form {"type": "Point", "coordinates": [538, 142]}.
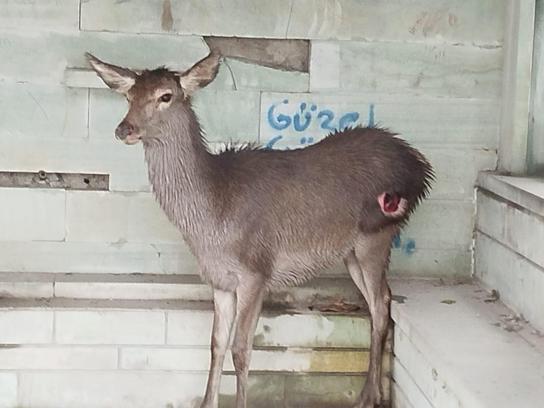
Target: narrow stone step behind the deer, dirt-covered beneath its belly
{"type": "Point", "coordinates": [322, 293]}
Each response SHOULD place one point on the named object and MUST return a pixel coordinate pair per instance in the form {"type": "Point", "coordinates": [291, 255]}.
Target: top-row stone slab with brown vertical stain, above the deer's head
{"type": "Point", "coordinates": [209, 17]}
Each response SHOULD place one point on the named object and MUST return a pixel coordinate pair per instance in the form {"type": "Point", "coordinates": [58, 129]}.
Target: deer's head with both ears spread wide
{"type": "Point", "coordinates": [153, 96]}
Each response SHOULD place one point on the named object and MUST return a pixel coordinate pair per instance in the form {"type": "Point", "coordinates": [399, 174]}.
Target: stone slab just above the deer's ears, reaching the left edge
{"type": "Point", "coordinates": [56, 51]}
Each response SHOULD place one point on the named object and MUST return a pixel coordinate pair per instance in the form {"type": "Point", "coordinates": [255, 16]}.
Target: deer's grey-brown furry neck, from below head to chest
{"type": "Point", "coordinates": [181, 172]}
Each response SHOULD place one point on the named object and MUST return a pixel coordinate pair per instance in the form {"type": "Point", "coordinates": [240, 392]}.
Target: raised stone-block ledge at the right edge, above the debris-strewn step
{"type": "Point", "coordinates": [509, 236]}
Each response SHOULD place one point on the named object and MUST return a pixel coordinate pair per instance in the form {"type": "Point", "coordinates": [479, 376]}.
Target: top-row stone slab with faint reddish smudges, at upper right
{"type": "Point", "coordinates": [423, 20]}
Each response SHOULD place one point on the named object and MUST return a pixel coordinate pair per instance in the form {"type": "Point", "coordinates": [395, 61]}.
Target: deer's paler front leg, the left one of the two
{"type": "Point", "coordinates": [224, 304]}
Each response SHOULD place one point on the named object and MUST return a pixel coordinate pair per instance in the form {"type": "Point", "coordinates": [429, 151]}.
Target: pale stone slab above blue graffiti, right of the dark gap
{"type": "Point", "coordinates": [407, 68]}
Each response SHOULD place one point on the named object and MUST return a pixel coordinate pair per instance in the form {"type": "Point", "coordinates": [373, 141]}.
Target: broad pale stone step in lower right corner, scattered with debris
{"type": "Point", "coordinates": [458, 346]}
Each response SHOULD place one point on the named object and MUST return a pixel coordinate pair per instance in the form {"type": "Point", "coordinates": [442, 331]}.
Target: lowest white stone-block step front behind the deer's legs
{"type": "Point", "coordinates": [62, 352]}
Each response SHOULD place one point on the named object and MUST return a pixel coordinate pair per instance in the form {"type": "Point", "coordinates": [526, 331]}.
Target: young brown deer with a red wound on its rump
{"type": "Point", "coordinates": [258, 219]}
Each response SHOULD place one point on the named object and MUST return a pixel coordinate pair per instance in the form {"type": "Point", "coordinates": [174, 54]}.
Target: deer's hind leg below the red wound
{"type": "Point", "coordinates": [367, 264]}
